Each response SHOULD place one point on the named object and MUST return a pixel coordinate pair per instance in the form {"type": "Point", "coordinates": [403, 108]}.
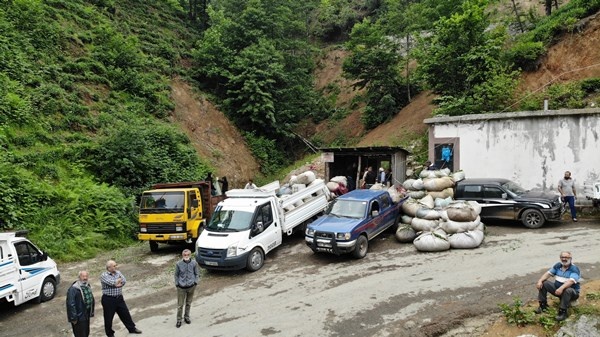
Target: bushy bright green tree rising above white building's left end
{"type": "Point", "coordinates": [462, 61]}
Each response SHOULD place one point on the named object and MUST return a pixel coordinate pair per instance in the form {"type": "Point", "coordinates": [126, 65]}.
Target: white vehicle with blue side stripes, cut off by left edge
{"type": "Point", "coordinates": [26, 273]}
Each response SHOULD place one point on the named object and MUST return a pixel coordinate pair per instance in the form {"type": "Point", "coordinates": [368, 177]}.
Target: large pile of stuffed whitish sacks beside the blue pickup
{"type": "Point", "coordinates": [432, 220]}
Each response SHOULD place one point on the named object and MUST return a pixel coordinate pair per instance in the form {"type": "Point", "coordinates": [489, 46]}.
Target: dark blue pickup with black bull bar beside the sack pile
{"type": "Point", "coordinates": [351, 221]}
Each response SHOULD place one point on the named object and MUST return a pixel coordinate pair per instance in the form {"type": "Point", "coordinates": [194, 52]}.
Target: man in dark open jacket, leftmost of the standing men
{"type": "Point", "coordinates": [80, 305]}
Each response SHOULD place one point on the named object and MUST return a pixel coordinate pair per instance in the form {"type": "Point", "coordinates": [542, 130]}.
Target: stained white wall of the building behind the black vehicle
{"type": "Point", "coordinates": [531, 148]}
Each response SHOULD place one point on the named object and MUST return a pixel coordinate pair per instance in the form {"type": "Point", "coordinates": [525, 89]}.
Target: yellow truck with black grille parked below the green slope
{"type": "Point", "coordinates": [175, 212]}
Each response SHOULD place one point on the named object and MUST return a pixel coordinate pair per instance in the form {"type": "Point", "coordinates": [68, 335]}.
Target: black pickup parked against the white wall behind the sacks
{"type": "Point", "coordinates": [504, 199]}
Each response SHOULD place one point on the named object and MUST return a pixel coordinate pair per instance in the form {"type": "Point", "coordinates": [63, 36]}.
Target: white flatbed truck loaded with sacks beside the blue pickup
{"type": "Point", "coordinates": [250, 223]}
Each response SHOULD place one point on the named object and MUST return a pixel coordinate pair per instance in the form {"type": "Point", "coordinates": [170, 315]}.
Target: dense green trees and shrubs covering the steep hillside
{"type": "Point", "coordinates": [85, 88]}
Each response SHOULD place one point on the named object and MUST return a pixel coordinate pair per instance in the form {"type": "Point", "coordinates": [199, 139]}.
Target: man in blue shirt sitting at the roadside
{"type": "Point", "coordinates": [565, 286]}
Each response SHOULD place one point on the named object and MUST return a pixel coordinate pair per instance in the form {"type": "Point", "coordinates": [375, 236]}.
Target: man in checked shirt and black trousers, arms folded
{"type": "Point", "coordinates": [112, 299]}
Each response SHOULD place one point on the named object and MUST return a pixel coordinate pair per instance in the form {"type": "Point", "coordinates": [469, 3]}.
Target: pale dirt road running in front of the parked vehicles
{"type": "Point", "coordinates": [394, 291]}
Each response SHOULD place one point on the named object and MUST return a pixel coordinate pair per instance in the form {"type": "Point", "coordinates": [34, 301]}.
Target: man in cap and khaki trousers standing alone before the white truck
{"type": "Point", "coordinates": [186, 279]}
